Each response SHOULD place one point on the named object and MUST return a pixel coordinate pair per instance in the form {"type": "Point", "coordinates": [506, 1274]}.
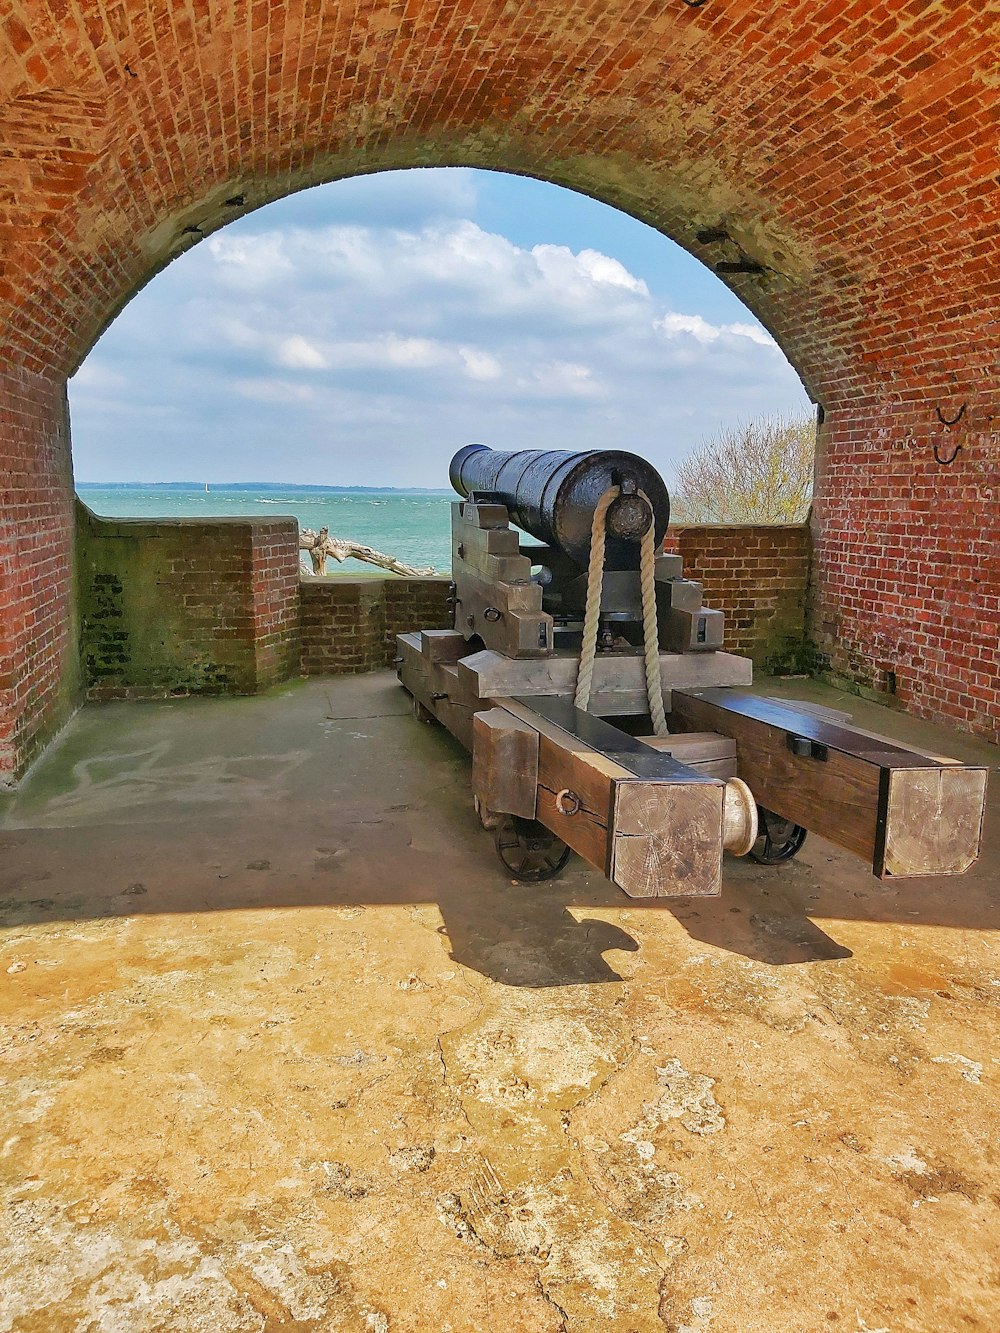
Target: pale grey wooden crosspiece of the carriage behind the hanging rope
{"type": "Point", "coordinates": [619, 682]}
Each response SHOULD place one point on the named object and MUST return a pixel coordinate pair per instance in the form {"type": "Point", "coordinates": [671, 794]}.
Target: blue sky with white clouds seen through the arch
{"type": "Point", "coordinates": [361, 333]}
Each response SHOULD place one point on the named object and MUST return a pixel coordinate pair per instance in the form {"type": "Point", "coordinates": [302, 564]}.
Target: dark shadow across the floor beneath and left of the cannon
{"type": "Point", "coordinates": [330, 795]}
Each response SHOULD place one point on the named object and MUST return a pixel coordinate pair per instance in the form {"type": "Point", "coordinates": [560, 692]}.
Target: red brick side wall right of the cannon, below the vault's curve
{"type": "Point", "coordinates": [907, 573]}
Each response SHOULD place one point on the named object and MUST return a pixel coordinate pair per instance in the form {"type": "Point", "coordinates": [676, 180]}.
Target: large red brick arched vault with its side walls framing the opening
{"type": "Point", "coordinates": [849, 151]}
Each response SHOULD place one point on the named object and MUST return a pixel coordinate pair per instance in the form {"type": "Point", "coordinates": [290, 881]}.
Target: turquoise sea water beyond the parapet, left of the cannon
{"type": "Point", "coordinates": [414, 527]}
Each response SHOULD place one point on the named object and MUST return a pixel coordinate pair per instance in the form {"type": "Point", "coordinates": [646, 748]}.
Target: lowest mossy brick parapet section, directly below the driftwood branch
{"type": "Point", "coordinates": [350, 626]}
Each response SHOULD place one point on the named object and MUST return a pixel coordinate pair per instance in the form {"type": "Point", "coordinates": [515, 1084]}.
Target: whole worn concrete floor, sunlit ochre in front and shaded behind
{"type": "Point", "coordinates": [283, 1048]}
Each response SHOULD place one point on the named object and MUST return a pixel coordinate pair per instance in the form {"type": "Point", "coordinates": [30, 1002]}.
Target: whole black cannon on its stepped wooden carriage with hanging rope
{"type": "Point", "coordinates": [605, 718]}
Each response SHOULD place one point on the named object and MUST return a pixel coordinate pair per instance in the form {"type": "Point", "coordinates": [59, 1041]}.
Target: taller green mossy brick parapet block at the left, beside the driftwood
{"type": "Point", "coordinates": [187, 607]}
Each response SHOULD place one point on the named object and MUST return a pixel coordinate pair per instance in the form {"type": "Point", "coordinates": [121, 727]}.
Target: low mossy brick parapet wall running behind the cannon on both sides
{"type": "Point", "coordinates": [218, 606]}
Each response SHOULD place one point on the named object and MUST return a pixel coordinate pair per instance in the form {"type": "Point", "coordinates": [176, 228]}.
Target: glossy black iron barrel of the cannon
{"type": "Point", "coordinates": [553, 495]}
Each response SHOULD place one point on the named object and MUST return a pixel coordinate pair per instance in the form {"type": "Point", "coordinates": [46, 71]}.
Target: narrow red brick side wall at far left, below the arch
{"type": "Point", "coordinates": [38, 680]}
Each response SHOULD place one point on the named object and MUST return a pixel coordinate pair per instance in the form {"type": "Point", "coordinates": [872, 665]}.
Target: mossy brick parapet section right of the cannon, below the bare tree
{"type": "Point", "coordinates": [758, 575]}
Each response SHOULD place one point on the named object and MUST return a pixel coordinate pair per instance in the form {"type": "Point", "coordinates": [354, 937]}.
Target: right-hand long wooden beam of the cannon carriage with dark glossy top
{"type": "Point", "coordinates": [931, 826]}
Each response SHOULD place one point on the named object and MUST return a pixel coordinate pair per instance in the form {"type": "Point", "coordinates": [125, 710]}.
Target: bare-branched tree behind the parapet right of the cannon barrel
{"type": "Point", "coordinates": [758, 473]}
